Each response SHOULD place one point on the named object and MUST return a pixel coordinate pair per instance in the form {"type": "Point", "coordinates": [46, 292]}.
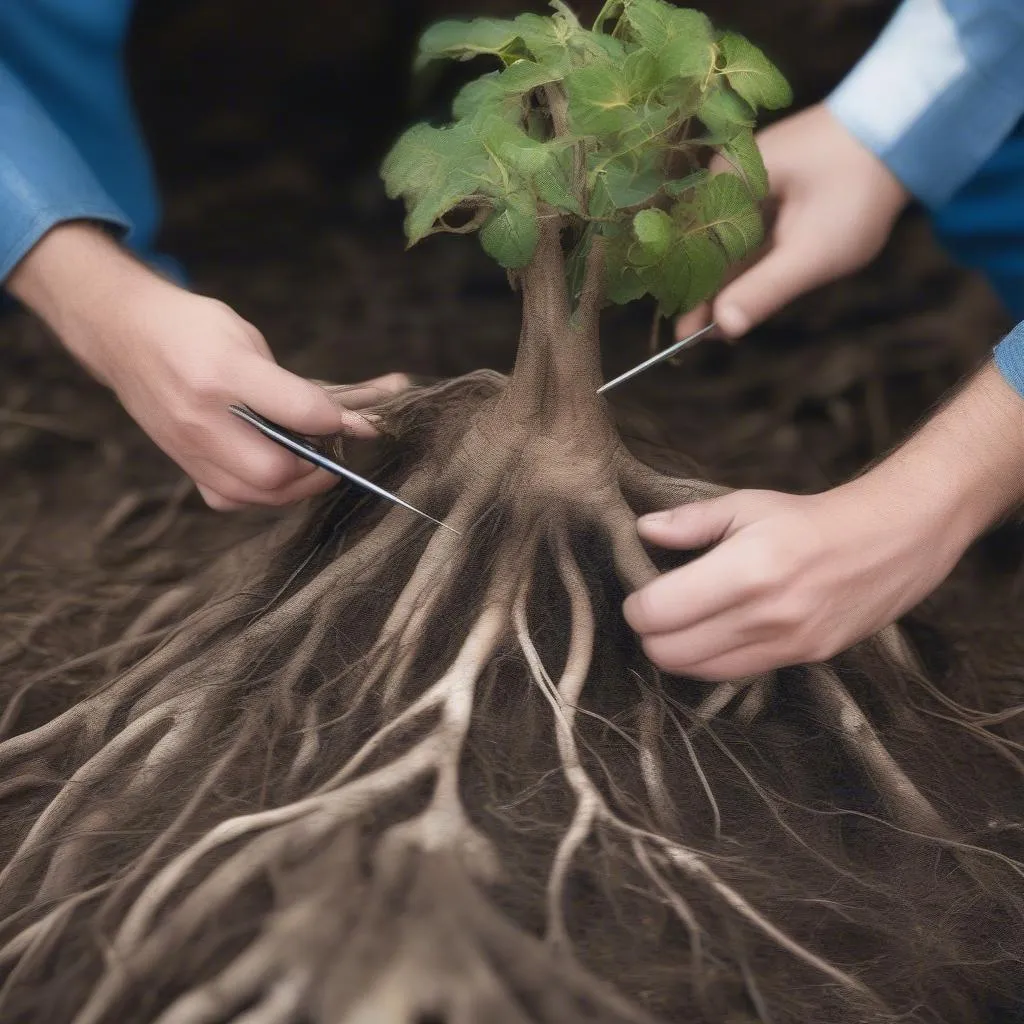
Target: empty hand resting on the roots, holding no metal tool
{"type": "Point", "coordinates": [791, 579]}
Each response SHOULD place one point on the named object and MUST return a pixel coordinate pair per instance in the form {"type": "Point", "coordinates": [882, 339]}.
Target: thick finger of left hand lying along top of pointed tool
{"type": "Point", "coordinates": [295, 403]}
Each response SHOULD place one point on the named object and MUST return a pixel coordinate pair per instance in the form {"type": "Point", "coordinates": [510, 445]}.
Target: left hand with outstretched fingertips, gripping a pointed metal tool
{"type": "Point", "coordinates": [178, 361]}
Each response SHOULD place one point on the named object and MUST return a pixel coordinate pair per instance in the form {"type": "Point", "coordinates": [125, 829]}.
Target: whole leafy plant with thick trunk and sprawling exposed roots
{"type": "Point", "coordinates": [372, 773]}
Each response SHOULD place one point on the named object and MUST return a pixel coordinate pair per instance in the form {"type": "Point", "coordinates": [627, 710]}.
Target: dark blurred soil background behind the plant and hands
{"type": "Point", "coordinates": [268, 121]}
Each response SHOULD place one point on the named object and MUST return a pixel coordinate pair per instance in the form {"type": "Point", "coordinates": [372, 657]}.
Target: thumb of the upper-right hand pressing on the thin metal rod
{"type": "Point", "coordinates": [782, 276]}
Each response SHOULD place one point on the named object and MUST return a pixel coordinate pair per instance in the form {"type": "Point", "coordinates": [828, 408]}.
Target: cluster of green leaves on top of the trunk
{"type": "Point", "coordinates": [604, 127]}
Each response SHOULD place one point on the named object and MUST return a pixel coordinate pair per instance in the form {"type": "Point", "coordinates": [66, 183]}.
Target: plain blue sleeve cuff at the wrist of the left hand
{"type": "Point", "coordinates": [44, 180]}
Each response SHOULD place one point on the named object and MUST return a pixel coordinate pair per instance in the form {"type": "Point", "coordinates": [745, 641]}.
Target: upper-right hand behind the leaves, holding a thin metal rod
{"type": "Point", "coordinates": [837, 204]}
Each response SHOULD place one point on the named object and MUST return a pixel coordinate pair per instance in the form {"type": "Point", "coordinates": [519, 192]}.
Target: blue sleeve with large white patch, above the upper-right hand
{"type": "Point", "coordinates": [938, 93]}
